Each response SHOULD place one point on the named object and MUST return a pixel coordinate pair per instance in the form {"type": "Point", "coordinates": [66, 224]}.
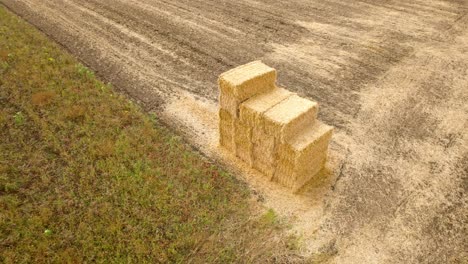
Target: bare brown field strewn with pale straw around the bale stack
{"type": "Point", "coordinates": [391, 76]}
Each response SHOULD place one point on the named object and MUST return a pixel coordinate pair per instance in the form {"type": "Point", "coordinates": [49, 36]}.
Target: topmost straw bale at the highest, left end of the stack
{"type": "Point", "coordinates": [244, 82]}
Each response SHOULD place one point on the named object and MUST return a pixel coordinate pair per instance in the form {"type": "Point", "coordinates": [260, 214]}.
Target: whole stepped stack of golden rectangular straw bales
{"type": "Point", "coordinates": [269, 128]}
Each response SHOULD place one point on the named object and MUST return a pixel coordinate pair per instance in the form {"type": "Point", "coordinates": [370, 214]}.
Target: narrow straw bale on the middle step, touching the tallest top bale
{"type": "Point", "coordinates": [251, 109]}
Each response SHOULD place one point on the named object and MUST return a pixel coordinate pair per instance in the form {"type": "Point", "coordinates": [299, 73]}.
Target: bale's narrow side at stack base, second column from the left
{"type": "Point", "coordinates": [243, 141]}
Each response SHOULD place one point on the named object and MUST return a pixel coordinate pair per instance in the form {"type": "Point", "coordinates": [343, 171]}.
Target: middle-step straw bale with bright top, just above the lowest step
{"type": "Point", "coordinates": [290, 117]}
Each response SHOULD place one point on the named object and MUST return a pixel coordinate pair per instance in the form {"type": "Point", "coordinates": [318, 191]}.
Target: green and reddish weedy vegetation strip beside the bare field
{"type": "Point", "coordinates": [86, 176]}
